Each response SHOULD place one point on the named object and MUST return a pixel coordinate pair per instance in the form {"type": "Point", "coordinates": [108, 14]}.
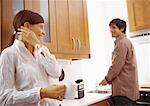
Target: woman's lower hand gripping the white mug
{"type": "Point", "coordinates": [53, 91]}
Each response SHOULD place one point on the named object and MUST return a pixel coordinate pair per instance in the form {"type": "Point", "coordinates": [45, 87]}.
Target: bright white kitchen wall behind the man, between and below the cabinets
{"type": "Point", "coordinates": [100, 13]}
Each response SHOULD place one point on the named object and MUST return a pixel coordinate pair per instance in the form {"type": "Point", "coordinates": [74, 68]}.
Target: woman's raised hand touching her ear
{"type": "Point", "coordinates": [28, 36]}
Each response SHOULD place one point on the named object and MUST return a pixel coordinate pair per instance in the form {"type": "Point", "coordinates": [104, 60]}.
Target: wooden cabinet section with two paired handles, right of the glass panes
{"type": "Point", "coordinates": [72, 29]}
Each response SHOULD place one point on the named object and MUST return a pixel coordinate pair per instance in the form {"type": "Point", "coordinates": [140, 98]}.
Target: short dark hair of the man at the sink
{"type": "Point", "coordinates": [119, 23]}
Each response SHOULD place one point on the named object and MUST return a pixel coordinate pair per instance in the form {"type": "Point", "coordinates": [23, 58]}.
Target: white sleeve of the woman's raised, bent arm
{"type": "Point", "coordinates": [48, 61]}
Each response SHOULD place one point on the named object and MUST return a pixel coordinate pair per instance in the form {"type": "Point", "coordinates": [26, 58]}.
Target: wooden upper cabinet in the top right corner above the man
{"type": "Point", "coordinates": [138, 14]}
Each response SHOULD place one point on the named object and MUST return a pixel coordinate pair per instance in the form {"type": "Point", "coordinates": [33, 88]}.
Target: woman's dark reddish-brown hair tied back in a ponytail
{"type": "Point", "coordinates": [26, 16]}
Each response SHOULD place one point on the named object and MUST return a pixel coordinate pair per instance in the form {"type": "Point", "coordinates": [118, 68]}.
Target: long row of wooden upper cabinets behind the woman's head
{"type": "Point", "coordinates": [66, 25]}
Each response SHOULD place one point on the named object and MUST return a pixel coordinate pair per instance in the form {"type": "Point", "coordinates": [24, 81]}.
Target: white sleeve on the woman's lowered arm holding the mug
{"type": "Point", "coordinates": [9, 95]}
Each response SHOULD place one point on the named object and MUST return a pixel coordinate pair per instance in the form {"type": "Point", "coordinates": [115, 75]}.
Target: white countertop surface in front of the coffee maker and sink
{"type": "Point", "coordinates": [89, 98]}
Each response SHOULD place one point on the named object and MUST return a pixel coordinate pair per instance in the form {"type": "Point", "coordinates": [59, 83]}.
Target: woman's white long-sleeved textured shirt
{"type": "Point", "coordinates": [22, 75]}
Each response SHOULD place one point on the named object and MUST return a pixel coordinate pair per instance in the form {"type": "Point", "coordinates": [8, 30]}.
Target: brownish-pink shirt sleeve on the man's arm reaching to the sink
{"type": "Point", "coordinates": [118, 61]}
